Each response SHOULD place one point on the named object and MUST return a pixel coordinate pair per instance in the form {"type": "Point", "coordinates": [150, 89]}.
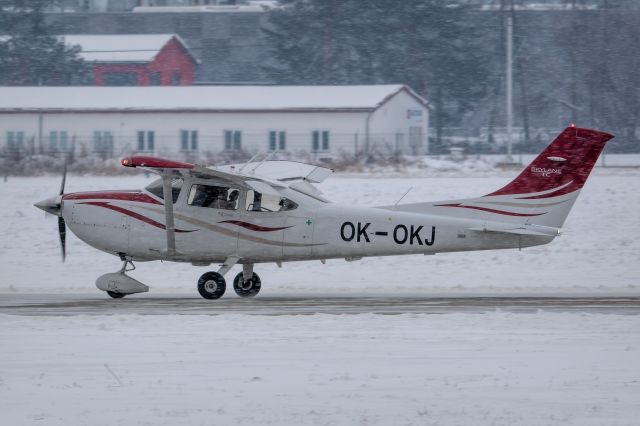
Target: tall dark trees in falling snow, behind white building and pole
{"type": "Point", "coordinates": [570, 66]}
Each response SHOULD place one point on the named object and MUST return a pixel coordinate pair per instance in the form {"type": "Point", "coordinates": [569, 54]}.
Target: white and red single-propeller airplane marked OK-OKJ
{"type": "Point", "coordinates": [270, 211]}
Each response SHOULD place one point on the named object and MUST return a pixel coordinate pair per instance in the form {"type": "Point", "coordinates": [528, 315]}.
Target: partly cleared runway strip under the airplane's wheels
{"type": "Point", "coordinates": [100, 304]}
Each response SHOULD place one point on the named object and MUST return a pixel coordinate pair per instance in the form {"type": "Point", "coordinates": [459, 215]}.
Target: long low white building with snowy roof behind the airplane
{"type": "Point", "coordinates": [173, 121]}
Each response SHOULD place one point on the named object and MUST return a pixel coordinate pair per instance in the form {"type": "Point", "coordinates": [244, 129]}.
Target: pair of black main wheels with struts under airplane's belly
{"type": "Point", "coordinates": [212, 285]}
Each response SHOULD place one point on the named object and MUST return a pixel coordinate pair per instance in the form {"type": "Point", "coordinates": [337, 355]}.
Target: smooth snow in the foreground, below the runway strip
{"type": "Point", "coordinates": [454, 369]}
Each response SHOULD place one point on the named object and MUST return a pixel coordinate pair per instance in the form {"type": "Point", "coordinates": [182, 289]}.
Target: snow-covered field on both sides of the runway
{"type": "Point", "coordinates": [492, 368]}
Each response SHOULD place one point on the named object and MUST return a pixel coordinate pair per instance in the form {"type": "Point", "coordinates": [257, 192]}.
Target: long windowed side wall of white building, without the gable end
{"type": "Point", "coordinates": [343, 128]}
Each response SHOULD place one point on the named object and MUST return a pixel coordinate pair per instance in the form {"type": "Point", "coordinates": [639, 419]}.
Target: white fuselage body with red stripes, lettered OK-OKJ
{"type": "Point", "coordinates": [132, 223]}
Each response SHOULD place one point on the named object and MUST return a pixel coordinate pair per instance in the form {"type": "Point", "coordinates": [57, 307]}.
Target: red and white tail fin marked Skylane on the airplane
{"type": "Point", "coordinates": [543, 193]}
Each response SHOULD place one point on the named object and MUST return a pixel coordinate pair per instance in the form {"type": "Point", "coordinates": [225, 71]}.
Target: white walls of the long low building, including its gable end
{"type": "Point", "coordinates": [347, 131]}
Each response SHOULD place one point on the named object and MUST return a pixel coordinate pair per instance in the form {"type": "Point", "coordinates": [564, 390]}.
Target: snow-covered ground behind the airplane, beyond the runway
{"type": "Point", "coordinates": [599, 251]}
